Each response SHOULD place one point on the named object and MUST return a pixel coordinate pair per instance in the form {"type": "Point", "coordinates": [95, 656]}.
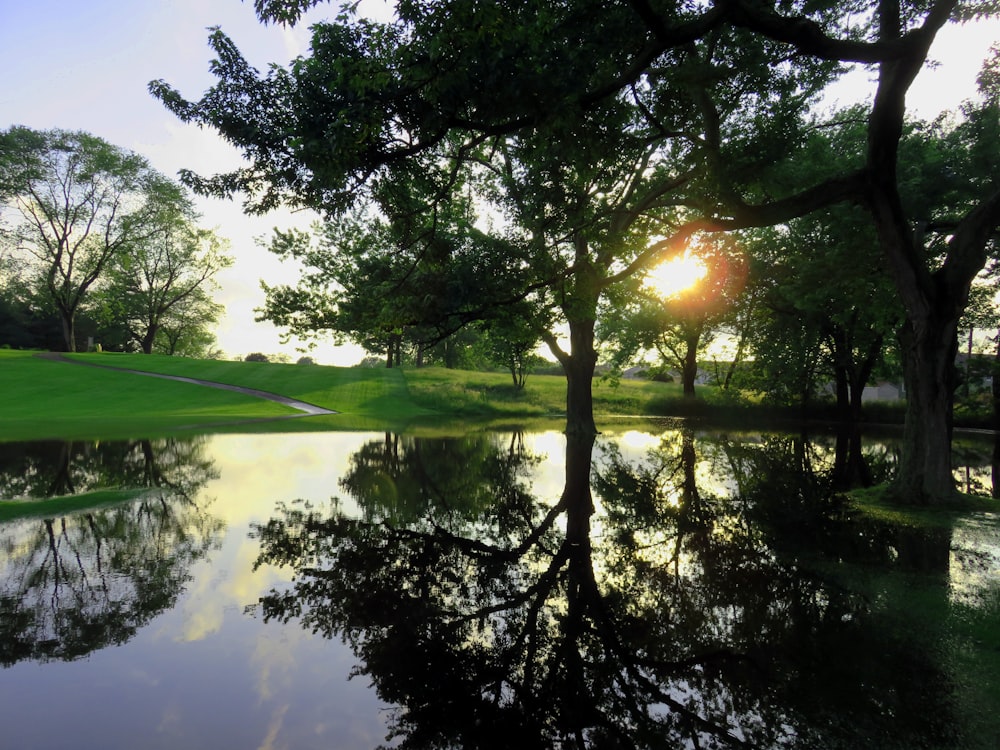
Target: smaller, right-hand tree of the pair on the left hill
{"type": "Point", "coordinates": [154, 284]}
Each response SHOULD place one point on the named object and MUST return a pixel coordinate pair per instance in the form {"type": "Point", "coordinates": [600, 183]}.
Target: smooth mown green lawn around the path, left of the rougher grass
{"type": "Point", "coordinates": [47, 399]}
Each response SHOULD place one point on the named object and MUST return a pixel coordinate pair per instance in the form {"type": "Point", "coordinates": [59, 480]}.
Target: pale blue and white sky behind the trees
{"type": "Point", "coordinates": [86, 66]}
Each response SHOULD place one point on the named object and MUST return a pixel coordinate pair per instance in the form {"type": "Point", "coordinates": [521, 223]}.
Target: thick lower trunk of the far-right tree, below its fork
{"type": "Point", "coordinates": [929, 346]}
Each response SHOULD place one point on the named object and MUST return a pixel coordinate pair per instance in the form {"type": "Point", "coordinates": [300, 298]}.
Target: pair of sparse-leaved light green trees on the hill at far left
{"type": "Point", "coordinates": [95, 229]}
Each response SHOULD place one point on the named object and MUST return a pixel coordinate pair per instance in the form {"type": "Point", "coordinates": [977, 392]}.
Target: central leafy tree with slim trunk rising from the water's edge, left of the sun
{"type": "Point", "coordinates": [583, 186]}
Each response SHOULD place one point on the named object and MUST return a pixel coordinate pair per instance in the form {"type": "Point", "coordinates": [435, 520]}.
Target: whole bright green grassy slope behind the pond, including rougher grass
{"type": "Point", "coordinates": [52, 399]}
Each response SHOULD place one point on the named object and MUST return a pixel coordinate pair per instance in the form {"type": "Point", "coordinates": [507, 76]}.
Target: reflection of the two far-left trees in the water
{"type": "Point", "coordinates": [78, 583]}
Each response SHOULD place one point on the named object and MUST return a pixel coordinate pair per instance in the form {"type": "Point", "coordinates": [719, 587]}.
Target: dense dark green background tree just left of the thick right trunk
{"type": "Point", "coordinates": [829, 311]}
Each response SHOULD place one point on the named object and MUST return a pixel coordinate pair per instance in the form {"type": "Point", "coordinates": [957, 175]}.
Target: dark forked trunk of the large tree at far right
{"type": "Point", "coordinates": [933, 300]}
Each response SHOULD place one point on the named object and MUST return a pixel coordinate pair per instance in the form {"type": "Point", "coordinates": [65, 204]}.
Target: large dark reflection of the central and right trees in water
{"type": "Point", "coordinates": [672, 617]}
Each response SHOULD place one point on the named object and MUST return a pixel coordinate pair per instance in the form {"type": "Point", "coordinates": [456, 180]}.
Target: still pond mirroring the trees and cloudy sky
{"type": "Point", "coordinates": [659, 586]}
